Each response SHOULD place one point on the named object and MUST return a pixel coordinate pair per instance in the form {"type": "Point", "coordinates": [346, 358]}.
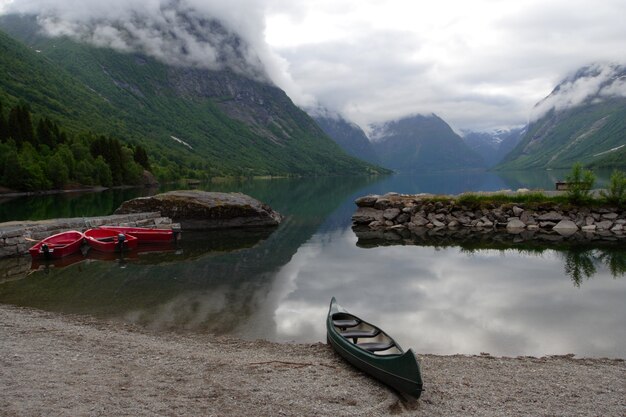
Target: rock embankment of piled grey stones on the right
{"type": "Point", "coordinates": [422, 213]}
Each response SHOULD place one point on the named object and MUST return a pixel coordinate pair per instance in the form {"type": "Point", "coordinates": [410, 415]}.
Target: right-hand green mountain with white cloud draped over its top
{"type": "Point", "coordinates": [582, 120]}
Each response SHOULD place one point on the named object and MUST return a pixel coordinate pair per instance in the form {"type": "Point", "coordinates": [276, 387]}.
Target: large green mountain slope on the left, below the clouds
{"type": "Point", "coordinates": [224, 120]}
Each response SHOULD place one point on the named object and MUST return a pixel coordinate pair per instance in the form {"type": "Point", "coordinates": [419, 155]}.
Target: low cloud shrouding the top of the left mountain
{"type": "Point", "coordinates": [193, 33]}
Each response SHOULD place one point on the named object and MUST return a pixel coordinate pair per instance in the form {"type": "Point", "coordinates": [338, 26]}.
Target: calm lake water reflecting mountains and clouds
{"type": "Point", "coordinates": [276, 285]}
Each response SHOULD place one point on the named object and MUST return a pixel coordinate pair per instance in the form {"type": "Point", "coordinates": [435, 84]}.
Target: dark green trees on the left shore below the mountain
{"type": "Point", "coordinates": [41, 155]}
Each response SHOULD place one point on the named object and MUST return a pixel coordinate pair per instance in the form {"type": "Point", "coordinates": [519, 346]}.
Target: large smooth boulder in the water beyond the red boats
{"type": "Point", "coordinates": [202, 210]}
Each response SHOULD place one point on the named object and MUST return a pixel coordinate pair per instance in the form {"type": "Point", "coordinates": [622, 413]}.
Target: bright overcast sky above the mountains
{"type": "Point", "coordinates": [478, 64]}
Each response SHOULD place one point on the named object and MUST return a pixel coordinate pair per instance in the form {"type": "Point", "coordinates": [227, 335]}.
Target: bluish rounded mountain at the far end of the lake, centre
{"type": "Point", "coordinates": [422, 143]}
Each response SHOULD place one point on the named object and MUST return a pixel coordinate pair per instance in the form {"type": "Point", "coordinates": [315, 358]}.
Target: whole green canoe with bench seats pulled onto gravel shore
{"type": "Point", "coordinates": [373, 351]}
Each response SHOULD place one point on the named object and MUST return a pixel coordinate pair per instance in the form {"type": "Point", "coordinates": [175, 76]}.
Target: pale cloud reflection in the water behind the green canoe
{"type": "Point", "coordinates": [447, 301]}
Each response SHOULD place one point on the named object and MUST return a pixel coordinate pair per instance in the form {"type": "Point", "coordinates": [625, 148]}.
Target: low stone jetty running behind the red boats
{"type": "Point", "coordinates": [17, 237]}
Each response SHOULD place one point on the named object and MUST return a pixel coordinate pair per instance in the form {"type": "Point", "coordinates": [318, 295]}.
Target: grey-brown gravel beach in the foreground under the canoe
{"type": "Point", "coordinates": [57, 365]}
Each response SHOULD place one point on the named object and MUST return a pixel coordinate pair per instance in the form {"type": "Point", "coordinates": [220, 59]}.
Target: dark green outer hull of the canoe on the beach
{"type": "Point", "coordinates": [399, 371]}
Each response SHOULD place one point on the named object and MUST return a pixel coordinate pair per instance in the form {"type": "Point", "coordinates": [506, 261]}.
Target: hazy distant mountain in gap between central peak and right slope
{"type": "Point", "coordinates": [495, 145]}
